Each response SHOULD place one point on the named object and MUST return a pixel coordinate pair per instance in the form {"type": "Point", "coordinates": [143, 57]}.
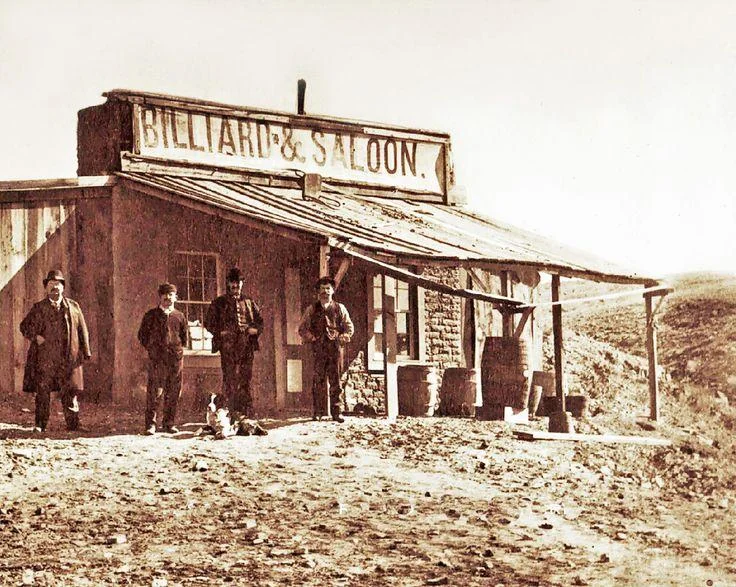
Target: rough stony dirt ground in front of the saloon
{"type": "Point", "coordinates": [434, 501]}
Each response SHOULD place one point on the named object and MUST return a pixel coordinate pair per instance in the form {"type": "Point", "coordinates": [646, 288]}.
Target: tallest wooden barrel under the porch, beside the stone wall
{"type": "Point", "coordinates": [505, 372]}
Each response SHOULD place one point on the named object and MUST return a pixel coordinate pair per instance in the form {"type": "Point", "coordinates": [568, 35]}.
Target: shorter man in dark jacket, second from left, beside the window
{"type": "Point", "coordinates": [163, 333]}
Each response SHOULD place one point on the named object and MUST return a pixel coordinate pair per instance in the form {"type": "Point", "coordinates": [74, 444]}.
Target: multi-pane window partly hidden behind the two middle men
{"type": "Point", "coordinates": [195, 275]}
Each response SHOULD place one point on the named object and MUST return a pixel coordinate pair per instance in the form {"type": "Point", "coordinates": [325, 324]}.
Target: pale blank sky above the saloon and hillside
{"type": "Point", "coordinates": [609, 125]}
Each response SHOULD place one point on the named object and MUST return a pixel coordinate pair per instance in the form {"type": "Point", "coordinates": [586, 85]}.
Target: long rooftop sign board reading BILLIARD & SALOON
{"type": "Point", "coordinates": [401, 159]}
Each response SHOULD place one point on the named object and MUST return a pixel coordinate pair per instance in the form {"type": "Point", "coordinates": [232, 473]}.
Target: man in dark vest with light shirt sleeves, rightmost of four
{"type": "Point", "coordinates": [327, 325]}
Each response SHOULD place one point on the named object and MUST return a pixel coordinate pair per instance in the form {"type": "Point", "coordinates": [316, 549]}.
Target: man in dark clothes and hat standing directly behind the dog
{"type": "Point", "coordinates": [235, 322]}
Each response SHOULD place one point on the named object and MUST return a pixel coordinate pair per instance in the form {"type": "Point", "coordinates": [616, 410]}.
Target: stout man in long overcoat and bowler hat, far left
{"type": "Point", "coordinates": [59, 344]}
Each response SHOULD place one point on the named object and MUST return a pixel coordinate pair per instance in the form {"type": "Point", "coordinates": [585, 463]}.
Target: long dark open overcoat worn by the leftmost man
{"type": "Point", "coordinates": [35, 324]}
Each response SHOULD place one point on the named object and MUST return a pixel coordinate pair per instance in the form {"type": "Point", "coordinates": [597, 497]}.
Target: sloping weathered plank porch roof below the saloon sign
{"type": "Point", "coordinates": [401, 228]}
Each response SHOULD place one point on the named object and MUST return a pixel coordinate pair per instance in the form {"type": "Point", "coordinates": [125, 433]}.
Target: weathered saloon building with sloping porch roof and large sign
{"type": "Point", "coordinates": [175, 189]}
